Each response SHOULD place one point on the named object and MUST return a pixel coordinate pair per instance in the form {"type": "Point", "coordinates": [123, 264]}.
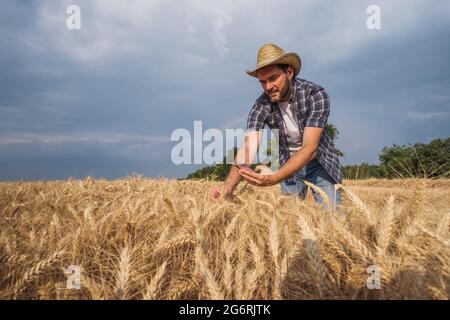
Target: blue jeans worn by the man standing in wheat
{"type": "Point", "coordinates": [314, 173]}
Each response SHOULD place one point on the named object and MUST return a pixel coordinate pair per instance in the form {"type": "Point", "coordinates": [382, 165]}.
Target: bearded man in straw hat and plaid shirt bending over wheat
{"type": "Point", "coordinates": [299, 109]}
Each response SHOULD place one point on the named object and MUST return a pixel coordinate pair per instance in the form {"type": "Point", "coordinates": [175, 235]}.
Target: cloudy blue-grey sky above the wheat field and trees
{"type": "Point", "coordinates": [104, 100]}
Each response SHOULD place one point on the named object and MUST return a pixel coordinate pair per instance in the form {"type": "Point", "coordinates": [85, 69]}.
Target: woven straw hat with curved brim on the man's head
{"type": "Point", "coordinates": [270, 54]}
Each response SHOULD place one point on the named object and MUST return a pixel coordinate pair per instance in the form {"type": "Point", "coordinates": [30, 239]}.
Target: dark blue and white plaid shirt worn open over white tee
{"type": "Point", "coordinates": [312, 104]}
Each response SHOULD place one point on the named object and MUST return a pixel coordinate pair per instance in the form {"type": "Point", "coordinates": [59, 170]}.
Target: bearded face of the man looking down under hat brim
{"type": "Point", "coordinates": [275, 83]}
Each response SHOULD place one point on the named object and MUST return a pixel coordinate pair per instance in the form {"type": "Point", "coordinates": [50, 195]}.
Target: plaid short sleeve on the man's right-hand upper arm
{"type": "Point", "coordinates": [319, 107]}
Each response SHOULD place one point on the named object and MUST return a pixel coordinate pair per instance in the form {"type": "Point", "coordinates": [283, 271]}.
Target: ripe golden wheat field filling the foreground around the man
{"type": "Point", "coordinates": [138, 238]}
